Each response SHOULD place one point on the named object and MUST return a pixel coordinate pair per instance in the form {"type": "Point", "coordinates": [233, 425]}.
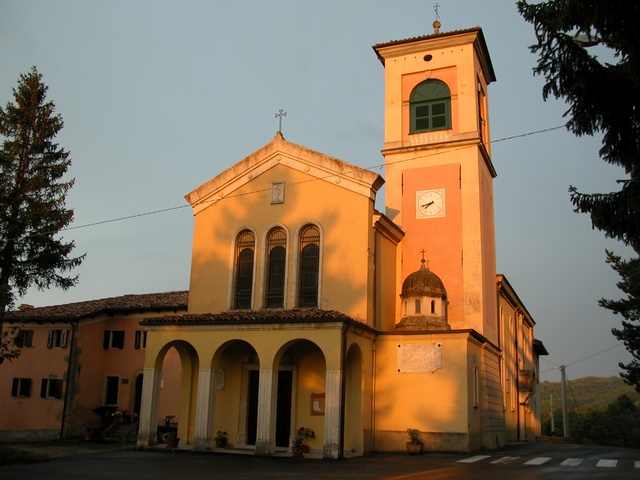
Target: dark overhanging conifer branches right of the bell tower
{"type": "Point", "coordinates": [603, 97]}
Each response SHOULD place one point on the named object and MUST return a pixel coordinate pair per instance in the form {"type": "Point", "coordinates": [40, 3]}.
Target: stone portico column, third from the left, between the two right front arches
{"type": "Point", "coordinates": [265, 437]}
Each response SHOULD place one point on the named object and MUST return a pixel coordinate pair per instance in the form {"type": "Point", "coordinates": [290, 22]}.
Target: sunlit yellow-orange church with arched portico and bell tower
{"type": "Point", "coordinates": [309, 308]}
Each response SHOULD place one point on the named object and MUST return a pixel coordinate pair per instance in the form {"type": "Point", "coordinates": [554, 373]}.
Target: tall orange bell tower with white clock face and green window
{"type": "Point", "coordinates": [438, 169]}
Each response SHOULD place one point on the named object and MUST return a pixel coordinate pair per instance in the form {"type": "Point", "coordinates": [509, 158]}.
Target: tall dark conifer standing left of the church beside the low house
{"type": "Point", "coordinates": [32, 196]}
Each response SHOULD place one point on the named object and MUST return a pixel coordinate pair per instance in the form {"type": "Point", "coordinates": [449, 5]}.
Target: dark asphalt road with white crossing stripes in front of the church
{"type": "Point", "coordinates": [544, 460]}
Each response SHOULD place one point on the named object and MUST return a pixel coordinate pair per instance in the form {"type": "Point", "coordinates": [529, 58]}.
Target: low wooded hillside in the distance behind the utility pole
{"type": "Point", "coordinates": [586, 393]}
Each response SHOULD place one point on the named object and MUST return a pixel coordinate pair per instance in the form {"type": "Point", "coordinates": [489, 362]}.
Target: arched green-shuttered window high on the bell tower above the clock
{"type": "Point", "coordinates": [430, 106]}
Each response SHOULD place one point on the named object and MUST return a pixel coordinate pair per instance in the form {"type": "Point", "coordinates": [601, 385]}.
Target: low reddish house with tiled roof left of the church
{"type": "Point", "coordinates": [77, 358]}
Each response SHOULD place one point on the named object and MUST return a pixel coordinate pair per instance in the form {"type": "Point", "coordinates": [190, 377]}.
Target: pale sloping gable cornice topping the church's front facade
{"type": "Point", "coordinates": [281, 152]}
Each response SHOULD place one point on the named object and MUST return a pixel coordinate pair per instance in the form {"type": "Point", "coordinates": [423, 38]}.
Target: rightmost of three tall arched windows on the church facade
{"type": "Point", "coordinates": [309, 266]}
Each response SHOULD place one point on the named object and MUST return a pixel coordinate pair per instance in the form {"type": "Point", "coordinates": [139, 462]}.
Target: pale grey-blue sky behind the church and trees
{"type": "Point", "coordinates": [160, 96]}
